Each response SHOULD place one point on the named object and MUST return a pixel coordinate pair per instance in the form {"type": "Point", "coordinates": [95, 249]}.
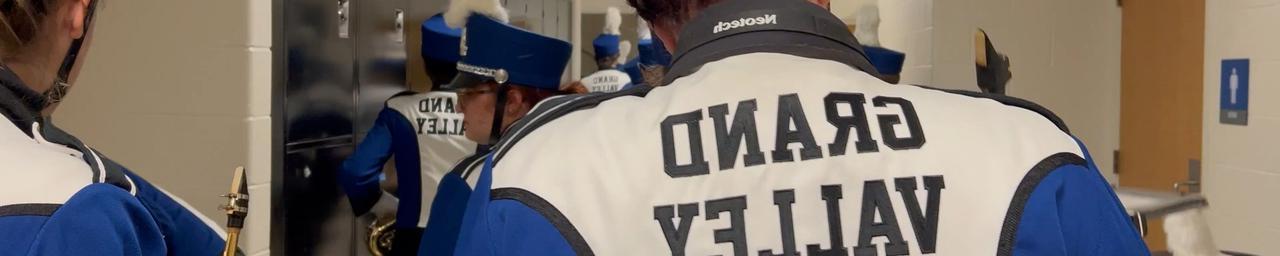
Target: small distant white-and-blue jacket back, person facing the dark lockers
{"type": "Point", "coordinates": [424, 134]}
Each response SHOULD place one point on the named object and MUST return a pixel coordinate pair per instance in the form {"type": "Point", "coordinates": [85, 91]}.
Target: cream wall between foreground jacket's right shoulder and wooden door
{"type": "Point", "coordinates": [1066, 56]}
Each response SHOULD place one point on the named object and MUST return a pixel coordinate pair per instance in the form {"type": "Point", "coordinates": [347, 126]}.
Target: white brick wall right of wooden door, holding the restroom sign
{"type": "Point", "coordinates": [1242, 164]}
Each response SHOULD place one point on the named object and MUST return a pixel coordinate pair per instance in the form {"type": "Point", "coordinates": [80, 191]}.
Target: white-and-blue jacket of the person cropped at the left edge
{"type": "Point", "coordinates": [53, 205]}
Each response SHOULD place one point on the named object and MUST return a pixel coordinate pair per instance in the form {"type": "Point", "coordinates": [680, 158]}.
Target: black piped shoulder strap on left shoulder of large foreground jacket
{"type": "Point", "coordinates": [555, 108]}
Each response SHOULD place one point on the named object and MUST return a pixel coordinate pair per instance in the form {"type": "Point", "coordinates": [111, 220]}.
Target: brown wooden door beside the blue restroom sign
{"type": "Point", "coordinates": [1163, 63]}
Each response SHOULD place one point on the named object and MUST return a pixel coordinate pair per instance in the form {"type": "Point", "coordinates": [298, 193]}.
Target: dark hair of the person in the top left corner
{"type": "Point", "coordinates": [21, 24]}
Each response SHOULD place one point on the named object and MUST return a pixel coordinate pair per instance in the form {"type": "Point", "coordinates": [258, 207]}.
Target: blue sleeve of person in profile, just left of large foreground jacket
{"type": "Point", "coordinates": [446, 217]}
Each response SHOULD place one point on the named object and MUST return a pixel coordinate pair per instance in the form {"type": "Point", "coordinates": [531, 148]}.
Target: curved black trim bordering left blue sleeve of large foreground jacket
{"type": "Point", "coordinates": [548, 212]}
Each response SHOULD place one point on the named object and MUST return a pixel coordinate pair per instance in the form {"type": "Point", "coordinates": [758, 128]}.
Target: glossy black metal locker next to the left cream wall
{"type": "Point", "coordinates": [318, 112]}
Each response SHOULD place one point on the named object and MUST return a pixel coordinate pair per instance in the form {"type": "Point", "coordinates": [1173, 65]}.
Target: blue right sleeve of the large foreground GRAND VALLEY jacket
{"type": "Point", "coordinates": [1075, 212]}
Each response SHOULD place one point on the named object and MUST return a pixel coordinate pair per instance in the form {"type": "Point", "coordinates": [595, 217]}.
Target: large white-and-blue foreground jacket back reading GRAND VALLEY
{"type": "Point", "coordinates": [790, 150]}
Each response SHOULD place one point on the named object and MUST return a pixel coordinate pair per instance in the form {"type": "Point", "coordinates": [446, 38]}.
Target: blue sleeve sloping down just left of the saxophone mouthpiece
{"type": "Point", "coordinates": [185, 234]}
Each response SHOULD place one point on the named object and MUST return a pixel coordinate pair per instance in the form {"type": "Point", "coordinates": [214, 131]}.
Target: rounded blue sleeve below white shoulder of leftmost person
{"type": "Point", "coordinates": [100, 220]}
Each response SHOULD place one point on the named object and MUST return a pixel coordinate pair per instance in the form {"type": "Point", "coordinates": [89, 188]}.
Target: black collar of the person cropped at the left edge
{"type": "Point", "coordinates": [17, 102]}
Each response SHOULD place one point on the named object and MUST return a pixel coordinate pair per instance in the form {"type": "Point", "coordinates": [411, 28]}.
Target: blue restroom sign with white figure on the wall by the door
{"type": "Point", "coordinates": [1236, 93]}
